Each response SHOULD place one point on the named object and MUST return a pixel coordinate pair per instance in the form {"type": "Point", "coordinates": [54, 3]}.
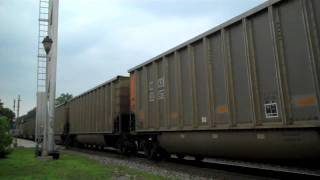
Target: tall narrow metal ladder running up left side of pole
{"type": "Point", "coordinates": [42, 70]}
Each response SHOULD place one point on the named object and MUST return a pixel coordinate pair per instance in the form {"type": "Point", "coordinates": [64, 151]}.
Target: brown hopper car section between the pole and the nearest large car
{"type": "Point", "coordinates": [98, 117]}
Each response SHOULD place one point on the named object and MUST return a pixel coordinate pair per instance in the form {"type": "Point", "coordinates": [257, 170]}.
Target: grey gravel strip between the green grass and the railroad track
{"type": "Point", "coordinates": [166, 169]}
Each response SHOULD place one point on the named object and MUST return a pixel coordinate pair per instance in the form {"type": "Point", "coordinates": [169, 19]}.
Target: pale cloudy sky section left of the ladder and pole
{"type": "Point", "coordinates": [18, 52]}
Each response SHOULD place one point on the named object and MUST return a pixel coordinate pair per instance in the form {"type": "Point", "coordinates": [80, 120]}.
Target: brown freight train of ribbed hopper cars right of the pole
{"type": "Point", "coordinates": [248, 88]}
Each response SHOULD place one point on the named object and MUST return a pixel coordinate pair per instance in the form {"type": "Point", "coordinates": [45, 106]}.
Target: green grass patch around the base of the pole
{"type": "Point", "coordinates": [21, 164]}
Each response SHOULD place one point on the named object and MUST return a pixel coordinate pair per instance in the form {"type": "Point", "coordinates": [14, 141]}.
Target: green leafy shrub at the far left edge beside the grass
{"type": "Point", "coordinates": [5, 137]}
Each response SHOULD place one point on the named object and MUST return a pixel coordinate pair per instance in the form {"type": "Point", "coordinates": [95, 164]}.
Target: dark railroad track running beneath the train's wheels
{"type": "Point", "coordinates": [263, 170]}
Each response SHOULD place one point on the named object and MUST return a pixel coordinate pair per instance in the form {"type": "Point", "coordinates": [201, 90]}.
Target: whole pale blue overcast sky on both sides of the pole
{"type": "Point", "coordinates": [99, 39]}
